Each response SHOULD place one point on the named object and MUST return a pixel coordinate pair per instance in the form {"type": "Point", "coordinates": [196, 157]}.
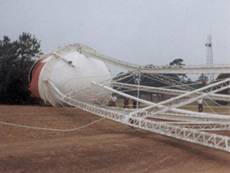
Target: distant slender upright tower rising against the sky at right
{"type": "Point", "coordinates": [209, 58]}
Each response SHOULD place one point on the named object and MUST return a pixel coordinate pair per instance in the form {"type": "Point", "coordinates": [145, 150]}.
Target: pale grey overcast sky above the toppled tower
{"type": "Point", "coordinates": [138, 31]}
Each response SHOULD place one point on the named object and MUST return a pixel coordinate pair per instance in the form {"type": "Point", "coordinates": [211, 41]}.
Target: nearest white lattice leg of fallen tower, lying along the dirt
{"type": "Point", "coordinates": [190, 135]}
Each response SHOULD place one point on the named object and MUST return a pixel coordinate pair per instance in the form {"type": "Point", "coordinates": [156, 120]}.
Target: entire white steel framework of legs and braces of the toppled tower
{"type": "Point", "coordinates": [177, 123]}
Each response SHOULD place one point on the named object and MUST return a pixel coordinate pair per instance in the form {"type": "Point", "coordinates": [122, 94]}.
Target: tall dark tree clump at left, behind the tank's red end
{"type": "Point", "coordinates": [16, 58]}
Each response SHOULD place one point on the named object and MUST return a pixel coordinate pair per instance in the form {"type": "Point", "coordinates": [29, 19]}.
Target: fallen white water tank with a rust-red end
{"type": "Point", "coordinates": [72, 73]}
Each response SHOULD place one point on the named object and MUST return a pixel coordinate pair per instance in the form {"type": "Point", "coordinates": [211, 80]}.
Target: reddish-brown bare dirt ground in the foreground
{"type": "Point", "coordinates": [105, 147]}
